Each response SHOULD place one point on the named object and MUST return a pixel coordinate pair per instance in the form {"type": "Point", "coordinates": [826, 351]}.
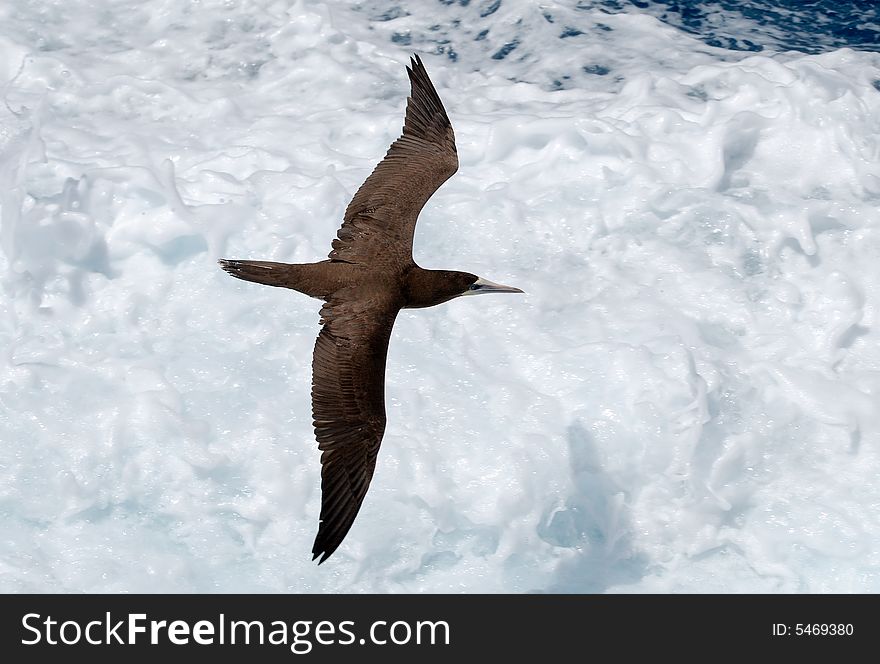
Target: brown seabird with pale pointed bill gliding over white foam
{"type": "Point", "coordinates": [370, 276]}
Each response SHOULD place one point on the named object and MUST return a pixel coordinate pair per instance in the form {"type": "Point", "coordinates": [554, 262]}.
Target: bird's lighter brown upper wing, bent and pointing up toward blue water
{"type": "Point", "coordinates": [381, 219]}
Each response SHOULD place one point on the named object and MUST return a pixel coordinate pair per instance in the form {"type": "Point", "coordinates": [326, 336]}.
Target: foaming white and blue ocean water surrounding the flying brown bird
{"type": "Point", "coordinates": [685, 400]}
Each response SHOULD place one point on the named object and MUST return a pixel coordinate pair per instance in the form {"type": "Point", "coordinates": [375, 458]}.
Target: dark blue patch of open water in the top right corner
{"type": "Point", "coordinates": [810, 26]}
